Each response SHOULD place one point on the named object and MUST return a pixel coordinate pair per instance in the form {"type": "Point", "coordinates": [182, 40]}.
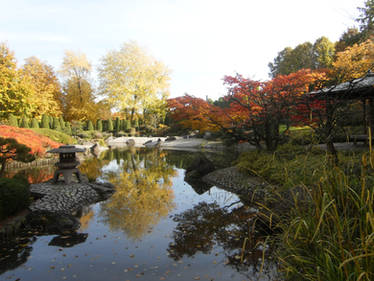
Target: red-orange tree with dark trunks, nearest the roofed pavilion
{"type": "Point", "coordinates": [264, 106]}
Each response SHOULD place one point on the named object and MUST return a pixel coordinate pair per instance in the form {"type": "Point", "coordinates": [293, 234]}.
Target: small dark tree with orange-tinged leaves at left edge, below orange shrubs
{"type": "Point", "coordinates": [10, 150]}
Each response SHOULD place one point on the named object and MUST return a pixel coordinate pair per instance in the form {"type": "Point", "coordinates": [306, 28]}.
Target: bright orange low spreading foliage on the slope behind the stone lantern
{"type": "Point", "coordinates": [38, 144]}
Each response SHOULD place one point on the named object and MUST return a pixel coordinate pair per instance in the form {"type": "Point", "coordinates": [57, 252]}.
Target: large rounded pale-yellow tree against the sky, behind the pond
{"type": "Point", "coordinates": [132, 80]}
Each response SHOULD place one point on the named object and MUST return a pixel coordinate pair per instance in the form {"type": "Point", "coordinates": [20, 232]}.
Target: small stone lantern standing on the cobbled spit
{"type": "Point", "coordinates": [67, 166]}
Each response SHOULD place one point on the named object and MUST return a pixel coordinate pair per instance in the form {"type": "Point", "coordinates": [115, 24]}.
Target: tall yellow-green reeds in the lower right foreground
{"type": "Point", "coordinates": [332, 237]}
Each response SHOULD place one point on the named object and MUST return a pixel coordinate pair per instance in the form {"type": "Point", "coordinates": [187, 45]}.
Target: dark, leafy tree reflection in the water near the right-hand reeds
{"type": "Point", "coordinates": [205, 225]}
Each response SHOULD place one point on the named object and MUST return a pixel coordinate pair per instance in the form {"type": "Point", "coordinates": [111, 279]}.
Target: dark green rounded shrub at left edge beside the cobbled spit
{"type": "Point", "coordinates": [14, 196]}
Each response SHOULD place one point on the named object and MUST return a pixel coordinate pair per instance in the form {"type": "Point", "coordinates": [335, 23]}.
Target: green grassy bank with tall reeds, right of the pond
{"type": "Point", "coordinates": [331, 237]}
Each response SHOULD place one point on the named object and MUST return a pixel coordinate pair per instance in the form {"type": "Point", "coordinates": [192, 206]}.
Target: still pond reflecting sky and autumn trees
{"type": "Point", "coordinates": [156, 226]}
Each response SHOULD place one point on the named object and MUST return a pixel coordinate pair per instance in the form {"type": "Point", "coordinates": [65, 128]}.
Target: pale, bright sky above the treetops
{"type": "Point", "coordinates": [201, 41]}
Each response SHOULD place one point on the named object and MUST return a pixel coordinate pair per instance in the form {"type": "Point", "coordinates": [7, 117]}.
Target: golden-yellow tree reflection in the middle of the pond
{"type": "Point", "coordinates": [143, 192]}
